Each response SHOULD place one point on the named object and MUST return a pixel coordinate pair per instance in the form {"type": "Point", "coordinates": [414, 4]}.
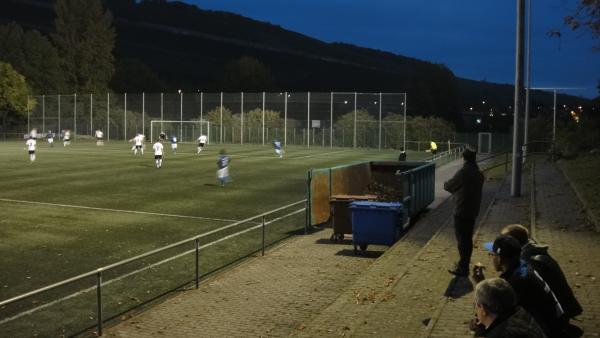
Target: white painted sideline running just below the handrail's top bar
{"type": "Point", "coordinates": [92, 288]}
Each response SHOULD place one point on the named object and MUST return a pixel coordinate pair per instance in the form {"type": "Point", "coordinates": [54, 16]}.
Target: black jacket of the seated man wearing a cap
{"type": "Point", "coordinates": [535, 298]}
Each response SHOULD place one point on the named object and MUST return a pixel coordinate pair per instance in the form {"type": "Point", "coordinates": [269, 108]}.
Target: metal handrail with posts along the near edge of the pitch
{"type": "Point", "coordinates": [98, 272]}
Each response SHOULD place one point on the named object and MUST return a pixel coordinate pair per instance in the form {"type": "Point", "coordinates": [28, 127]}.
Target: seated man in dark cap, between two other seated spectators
{"type": "Point", "coordinates": [533, 293]}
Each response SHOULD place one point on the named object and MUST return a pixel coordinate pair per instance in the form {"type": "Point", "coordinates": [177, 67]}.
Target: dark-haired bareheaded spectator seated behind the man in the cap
{"type": "Point", "coordinates": [538, 257]}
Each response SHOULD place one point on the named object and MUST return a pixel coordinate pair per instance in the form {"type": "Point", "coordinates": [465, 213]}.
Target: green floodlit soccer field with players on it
{"type": "Point", "coordinates": [81, 207]}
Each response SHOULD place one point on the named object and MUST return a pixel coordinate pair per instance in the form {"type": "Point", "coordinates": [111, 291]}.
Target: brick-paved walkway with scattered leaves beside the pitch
{"type": "Point", "coordinates": [311, 287]}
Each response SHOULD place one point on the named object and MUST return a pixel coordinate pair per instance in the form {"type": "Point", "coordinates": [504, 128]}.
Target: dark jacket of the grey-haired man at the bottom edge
{"type": "Point", "coordinates": [518, 324]}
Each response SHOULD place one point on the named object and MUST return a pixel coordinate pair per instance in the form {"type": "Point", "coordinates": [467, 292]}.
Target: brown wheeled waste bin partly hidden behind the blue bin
{"type": "Point", "coordinates": [341, 220]}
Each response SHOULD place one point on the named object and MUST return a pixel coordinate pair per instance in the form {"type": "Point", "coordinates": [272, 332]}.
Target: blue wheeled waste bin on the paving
{"type": "Point", "coordinates": [376, 223]}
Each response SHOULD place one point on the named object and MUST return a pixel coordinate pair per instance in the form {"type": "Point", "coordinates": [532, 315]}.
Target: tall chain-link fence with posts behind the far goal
{"type": "Point", "coordinates": [375, 120]}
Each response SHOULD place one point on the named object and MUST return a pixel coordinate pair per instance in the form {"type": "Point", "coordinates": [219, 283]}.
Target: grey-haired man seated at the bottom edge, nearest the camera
{"type": "Point", "coordinates": [498, 314]}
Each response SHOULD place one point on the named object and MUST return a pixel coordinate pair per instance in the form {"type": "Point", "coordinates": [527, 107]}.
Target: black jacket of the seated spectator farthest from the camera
{"type": "Point", "coordinates": [539, 258]}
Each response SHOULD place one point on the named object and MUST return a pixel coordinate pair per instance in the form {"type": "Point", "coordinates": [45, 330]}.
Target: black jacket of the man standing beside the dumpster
{"type": "Point", "coordinates": [466, 186]}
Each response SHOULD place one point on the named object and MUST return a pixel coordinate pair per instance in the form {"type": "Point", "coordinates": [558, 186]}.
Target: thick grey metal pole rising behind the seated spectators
{"type": "Point", "coordinates": [515, 187]}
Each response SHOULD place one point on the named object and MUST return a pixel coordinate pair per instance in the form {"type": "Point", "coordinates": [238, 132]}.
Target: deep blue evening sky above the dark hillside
{"type": "Point", "coordinates": [474, 38]}
